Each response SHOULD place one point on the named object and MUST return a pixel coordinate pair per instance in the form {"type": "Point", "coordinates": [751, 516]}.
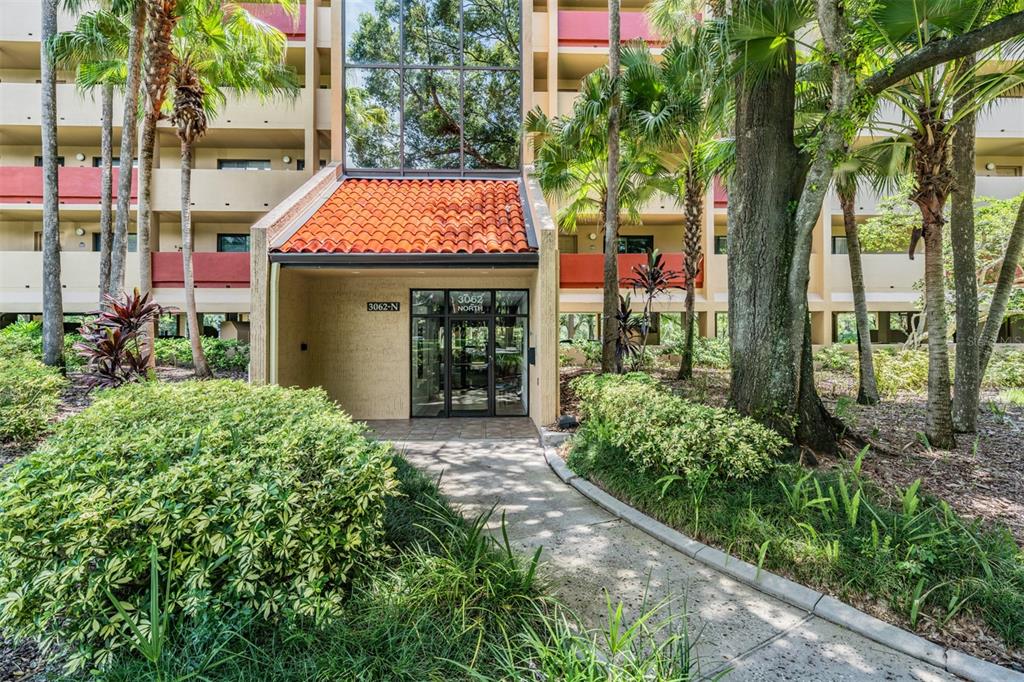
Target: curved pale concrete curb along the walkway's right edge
{"type": "Point", "coordinates": [802, 598]}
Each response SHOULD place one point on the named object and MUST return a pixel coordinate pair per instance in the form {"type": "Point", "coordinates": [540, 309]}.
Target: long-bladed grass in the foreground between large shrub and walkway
{"type": "Point", "coordinates": [449, 604]}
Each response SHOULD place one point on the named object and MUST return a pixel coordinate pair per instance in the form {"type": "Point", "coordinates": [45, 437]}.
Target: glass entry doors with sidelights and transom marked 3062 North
{"type": "Point", "coordinates": [470, 353]}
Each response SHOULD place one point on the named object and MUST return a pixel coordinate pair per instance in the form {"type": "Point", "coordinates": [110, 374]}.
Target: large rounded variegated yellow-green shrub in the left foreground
{"type": "Point", "coordinates": [259, 498]}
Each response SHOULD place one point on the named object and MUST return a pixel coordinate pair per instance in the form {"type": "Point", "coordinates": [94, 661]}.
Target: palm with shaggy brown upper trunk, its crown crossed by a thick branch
{"type": "Point", "coordinates": [932, 104]}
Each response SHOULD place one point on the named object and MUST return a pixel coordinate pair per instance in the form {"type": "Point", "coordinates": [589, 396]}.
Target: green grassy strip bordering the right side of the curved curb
{"type": "Point", "coordinates": [834, 532]}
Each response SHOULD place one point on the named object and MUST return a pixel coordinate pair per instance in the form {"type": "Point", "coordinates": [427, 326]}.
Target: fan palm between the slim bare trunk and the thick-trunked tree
{"type": "Point", "coordinates": [684, 105]}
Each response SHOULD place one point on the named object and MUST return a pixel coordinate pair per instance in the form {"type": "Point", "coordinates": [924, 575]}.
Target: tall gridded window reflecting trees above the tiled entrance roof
{"type": "Point", "coordinates": [433, 86]}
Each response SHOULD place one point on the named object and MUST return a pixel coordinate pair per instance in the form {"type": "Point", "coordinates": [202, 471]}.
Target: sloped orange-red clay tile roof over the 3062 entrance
{"type": "Point", "coordinates": [418, 222]}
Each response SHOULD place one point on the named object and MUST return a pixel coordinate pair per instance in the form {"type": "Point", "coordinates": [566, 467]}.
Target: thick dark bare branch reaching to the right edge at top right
{"type": "Point", "coordinates": [946, 51]}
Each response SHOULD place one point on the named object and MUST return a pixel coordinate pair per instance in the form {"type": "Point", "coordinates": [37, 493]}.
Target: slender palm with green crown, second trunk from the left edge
{"type": "Point", "coordinates": [98, 48]}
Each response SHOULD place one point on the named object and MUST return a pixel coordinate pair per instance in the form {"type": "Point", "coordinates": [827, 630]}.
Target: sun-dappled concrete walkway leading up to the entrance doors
{"type": "Point", "coordinates": [588, 551]}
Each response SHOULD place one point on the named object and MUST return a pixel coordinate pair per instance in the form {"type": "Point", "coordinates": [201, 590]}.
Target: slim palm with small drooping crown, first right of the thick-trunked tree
{"type": "Point", "coordinates": [880, 164]}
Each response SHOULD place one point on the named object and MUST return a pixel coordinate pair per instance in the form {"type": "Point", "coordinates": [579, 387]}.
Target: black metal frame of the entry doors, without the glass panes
{"type": "Point", "coordinates": [448, 319]}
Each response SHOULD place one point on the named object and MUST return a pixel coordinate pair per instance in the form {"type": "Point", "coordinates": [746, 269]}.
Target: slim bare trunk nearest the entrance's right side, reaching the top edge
{"type": "Point", "coordinates": [612, 206]}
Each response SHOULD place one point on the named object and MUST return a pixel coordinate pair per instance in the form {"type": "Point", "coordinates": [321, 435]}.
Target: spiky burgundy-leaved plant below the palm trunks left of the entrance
{"type": "Point", "coordinates": [112, 342]}
